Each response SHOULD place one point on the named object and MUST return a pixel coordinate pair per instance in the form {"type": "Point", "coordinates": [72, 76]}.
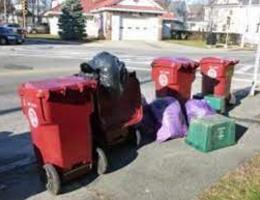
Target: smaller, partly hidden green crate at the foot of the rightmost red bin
{"type": "Point", "coordinates": [217, 103]}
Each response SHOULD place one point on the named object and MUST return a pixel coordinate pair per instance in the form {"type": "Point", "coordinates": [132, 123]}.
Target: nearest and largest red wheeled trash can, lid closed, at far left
{"type": "Point", "coordinates": [58, 111]}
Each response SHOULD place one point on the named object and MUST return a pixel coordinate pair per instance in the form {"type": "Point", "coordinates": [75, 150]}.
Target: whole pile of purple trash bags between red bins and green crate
{"type": "Point", "coordinates": [166, 118]}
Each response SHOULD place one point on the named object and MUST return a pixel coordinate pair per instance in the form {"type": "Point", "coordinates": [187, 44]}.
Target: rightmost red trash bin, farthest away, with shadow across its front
{"type": "Point", "coordinates": [217, 75]}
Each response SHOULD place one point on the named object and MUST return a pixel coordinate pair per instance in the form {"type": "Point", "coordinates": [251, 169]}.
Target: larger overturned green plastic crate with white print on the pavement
{"type": "Point", "coordinates": [211, 132]}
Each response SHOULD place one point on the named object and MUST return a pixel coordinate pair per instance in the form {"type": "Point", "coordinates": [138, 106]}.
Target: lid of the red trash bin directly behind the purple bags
{"type": "Point", "coordinates": [175, 62]}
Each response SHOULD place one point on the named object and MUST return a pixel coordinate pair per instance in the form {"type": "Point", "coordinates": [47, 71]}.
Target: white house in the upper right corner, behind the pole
{"type": "Point", "coordinates": [234, 16]}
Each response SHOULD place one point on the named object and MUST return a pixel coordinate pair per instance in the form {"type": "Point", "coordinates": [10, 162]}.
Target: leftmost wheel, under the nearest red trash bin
{"type": "Point", "coordinates": [53, 183]}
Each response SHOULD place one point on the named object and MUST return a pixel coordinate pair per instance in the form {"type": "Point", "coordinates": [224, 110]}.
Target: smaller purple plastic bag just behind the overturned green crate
{"type": "Point", "coordinates": [196, 108]}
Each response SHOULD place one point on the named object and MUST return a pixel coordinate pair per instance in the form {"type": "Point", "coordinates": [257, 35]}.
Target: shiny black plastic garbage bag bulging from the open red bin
{"type": "Point", "coordinates": [109, 70]}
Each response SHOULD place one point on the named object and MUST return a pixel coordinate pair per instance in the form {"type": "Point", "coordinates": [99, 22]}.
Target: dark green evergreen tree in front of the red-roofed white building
{"type": "Point", "coordinates": [72, 22]}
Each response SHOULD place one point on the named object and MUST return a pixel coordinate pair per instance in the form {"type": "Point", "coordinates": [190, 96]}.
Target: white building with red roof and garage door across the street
{"type": "Point", "coordinates": [118, 19]}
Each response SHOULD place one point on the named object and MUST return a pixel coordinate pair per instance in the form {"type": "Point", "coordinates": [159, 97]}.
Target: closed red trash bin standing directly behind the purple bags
{"type": "Point", "coordinates": [173, 76]}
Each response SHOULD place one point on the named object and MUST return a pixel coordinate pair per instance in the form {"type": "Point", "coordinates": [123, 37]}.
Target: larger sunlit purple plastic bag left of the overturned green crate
{"type": "Point", "coordinates": [173, 123]}
